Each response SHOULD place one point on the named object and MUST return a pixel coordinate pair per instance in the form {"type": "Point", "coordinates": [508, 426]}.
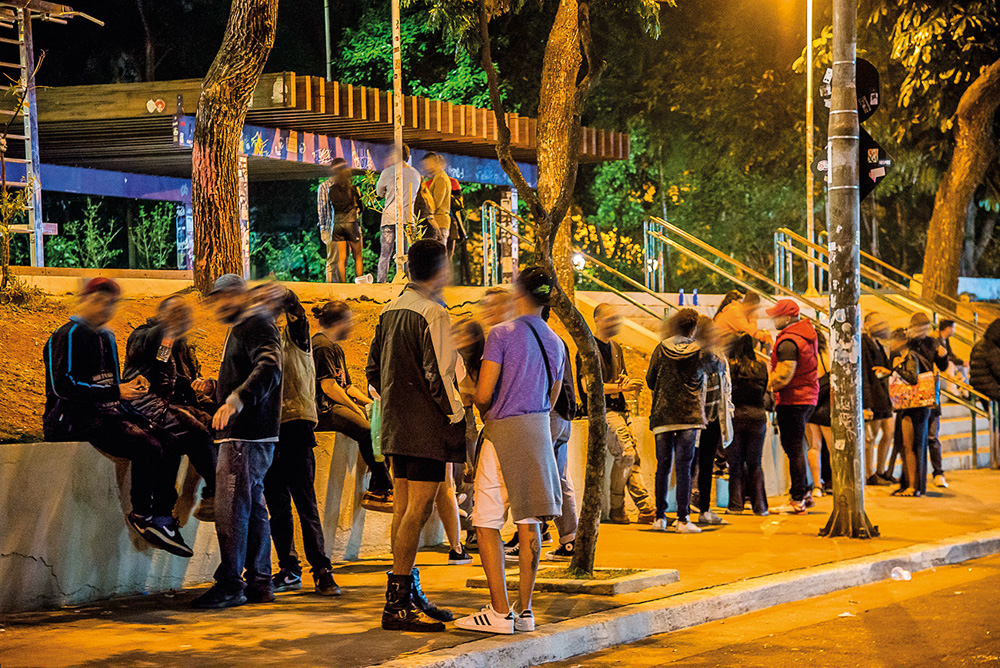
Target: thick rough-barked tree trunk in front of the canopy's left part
{"type": "Point", "coordinates": [222, 108]}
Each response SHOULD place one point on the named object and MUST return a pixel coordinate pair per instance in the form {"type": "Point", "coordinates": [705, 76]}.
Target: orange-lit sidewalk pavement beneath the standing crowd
{"type": "Point", "coordinates": [302, 629]}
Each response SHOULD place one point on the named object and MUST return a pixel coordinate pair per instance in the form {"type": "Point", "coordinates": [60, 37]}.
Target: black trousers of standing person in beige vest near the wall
{"type": "Point", "coordinates": [292, 477]}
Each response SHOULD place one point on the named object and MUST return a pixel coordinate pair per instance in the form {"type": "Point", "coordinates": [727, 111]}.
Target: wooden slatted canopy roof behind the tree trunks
{"type": "Point", "coordinates": [128, 127]}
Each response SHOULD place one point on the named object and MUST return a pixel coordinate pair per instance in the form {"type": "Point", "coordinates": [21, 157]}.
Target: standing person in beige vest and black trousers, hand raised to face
{"type": "Point", "coordinates": [292, 474]}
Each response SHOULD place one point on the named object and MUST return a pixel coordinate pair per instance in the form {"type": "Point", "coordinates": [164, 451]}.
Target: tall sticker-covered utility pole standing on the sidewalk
{"type": "Point", "coordinates": [844, 225]}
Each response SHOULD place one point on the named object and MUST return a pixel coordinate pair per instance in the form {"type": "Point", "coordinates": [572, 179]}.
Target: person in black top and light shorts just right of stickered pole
{"type": "Point", "coordinates": [877, 405]}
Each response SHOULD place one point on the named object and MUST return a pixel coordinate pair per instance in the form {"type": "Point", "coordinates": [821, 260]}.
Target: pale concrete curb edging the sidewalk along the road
{"type": "Point", "coordinates": [591, 633]}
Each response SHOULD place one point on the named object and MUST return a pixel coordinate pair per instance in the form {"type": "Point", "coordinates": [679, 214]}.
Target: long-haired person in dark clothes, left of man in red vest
{"type": "Point", "coordinates": [746, 476]}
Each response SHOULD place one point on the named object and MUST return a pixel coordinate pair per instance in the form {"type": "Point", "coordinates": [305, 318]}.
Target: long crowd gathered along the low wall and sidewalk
{"type": "Point", "coordinates": [250, 432]}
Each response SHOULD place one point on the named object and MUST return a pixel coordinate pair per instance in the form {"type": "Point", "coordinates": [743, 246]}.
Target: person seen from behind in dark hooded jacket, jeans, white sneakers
{"type": "Point", "coordinates": [677, 374]}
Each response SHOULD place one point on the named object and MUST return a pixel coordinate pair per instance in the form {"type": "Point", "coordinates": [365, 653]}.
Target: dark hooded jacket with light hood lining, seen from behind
{"type": "Point", "coordinates": [677, 378]}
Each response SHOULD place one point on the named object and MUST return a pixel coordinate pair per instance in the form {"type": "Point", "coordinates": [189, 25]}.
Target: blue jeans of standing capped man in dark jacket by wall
{"type": "Point", "coordinates": [241, 520]}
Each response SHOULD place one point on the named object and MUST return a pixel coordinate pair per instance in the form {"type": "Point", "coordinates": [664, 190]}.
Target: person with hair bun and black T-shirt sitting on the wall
{"type": "Point", "coordinates": [342, 404]}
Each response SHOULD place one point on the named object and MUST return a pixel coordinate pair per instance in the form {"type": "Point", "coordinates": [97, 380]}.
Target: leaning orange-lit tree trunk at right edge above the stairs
{"type": "Point", "coordinates": [974, 151]}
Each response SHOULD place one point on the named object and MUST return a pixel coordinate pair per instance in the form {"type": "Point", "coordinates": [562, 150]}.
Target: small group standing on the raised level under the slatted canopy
{"type": "Point", "coordinates": [433, 201]}
